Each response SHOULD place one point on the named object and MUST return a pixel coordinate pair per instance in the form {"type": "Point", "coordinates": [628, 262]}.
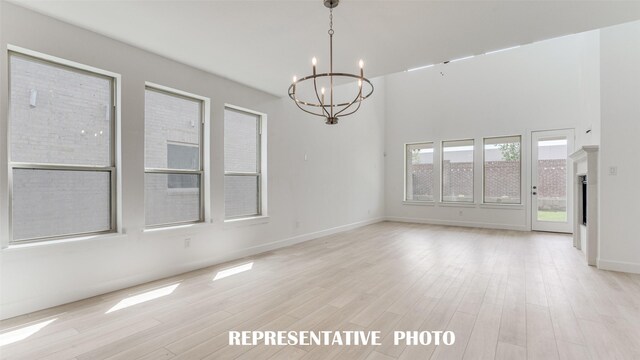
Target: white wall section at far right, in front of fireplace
{"type": "Point", "coordinates": [620, 146]}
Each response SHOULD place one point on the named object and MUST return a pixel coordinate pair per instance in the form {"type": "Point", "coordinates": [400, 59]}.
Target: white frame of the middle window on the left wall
{"type": "Point", "coordinates": [201, 161]}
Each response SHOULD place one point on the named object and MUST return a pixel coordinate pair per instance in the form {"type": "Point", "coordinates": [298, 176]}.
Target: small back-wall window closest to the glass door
{"type": "Point", "coordinates": [502, 170]}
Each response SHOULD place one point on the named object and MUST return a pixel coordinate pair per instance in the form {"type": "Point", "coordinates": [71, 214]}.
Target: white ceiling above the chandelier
{"type": "Point", "coordinates": [264, 43]}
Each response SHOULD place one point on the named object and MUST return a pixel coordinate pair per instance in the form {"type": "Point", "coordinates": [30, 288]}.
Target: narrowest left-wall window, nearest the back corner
{"type": "Point", "coordinates": [242, 163]}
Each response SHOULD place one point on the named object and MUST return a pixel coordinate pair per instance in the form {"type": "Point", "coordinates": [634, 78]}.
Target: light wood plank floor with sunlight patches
{"type": "Point", "coordinates": [507, 295]}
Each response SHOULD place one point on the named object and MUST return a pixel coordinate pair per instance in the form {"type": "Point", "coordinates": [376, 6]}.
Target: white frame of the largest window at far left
{"type": "Point", "coordinates": [14, 51]}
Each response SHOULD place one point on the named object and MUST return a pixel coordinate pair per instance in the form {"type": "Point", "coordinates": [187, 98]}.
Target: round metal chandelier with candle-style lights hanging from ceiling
{"type": "Point", "coordinates": [324, 104]}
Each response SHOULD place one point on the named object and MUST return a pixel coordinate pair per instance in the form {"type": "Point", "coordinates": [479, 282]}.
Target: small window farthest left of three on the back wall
{"type": "Point", "coordinates": [419, 176]}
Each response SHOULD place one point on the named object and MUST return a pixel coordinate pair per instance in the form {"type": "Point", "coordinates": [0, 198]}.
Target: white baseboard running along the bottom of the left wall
{"type": "Point", "coordinates": [36, 304]}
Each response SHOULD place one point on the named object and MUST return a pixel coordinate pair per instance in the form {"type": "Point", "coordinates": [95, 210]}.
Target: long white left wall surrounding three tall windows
{"type": "Point", "coordinates": [340, 184]}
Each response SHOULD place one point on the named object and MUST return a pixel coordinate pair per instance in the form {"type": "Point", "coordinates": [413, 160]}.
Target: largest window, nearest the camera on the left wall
{"type": "Point", "coordinates": [62, 163]}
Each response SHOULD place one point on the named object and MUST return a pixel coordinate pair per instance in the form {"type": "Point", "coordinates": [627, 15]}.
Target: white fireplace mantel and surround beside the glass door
{"type": "Point", "coordinates": [585, 162]}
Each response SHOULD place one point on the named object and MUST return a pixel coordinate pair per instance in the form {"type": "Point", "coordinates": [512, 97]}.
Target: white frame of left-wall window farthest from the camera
{"type": "Point", "coordinates": [260, 165]}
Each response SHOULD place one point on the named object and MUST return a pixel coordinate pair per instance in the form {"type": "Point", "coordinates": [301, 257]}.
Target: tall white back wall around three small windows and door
{"type": "Point", "coordinates": [547, 85]}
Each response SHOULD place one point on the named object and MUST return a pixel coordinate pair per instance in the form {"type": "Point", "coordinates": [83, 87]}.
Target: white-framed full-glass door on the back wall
{"type": "Point", "coordinates": [551, 186]}
